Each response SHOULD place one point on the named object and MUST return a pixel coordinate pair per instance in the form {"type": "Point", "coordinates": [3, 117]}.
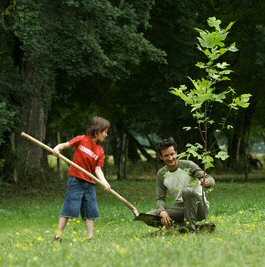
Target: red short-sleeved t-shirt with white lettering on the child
{"type": "Point", "coordinates": [87, 155]}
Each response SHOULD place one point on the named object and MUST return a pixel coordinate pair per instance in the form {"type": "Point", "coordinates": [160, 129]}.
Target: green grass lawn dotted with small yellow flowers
{"type": "Point", "coordinates": [29, 221]}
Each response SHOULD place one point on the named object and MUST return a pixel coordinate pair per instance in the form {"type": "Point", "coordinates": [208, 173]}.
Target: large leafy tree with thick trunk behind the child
{"type": "Point", "coordinates": [87, 41]}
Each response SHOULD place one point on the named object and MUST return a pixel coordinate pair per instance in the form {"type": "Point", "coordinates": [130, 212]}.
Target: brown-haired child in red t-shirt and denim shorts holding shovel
{"type": "Point", "coordinates": [81, 191]}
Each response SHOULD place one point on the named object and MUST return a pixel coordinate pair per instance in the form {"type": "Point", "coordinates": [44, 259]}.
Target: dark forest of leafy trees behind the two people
{"type": "Point", "coordinates": [63, 61]}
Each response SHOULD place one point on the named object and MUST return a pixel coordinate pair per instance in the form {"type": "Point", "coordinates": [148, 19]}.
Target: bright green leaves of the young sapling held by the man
{"type": "Point", "coordinates": [204, 96]}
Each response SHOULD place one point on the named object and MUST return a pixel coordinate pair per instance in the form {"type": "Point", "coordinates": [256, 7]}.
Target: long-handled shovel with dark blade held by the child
{"type": "Point", "coordinates": [151, 220]}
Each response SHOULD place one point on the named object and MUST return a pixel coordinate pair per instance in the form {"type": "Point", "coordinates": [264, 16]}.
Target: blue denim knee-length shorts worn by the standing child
{"type": "Point", "coordinates": [80, 198]}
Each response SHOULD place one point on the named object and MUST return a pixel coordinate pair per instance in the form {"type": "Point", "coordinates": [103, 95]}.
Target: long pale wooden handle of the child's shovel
{"type": "Point", "coordinates": [127, 203]}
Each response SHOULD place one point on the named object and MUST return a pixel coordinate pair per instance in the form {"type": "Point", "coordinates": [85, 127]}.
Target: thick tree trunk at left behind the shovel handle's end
{"type": "Point", "coordinates": [33, 119]}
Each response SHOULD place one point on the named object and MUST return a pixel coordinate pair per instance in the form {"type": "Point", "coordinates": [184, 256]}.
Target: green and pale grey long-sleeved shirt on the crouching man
{"type": "Point", "coordinates": [188, 174]}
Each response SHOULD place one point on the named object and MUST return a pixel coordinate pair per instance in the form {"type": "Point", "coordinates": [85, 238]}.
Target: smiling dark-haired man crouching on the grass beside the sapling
{"type": "Point", "coordinates": [184, 179]}
